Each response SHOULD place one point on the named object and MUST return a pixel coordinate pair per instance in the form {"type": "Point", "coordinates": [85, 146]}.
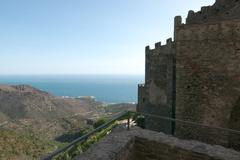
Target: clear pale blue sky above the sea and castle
{"type": "Point", "coordinates": [84, 36]}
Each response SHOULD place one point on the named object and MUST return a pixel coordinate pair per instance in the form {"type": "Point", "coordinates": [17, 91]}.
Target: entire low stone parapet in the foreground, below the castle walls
{"type": "Point", "coordinates": [138, 144]}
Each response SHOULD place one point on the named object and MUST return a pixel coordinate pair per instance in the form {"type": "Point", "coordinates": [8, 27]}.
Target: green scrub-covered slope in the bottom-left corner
{"type": "Point", "coordinates": [23, 147]}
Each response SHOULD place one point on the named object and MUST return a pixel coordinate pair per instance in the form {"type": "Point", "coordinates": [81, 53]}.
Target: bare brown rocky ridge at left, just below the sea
{"type": "Point", "coordinates": [23, 101]}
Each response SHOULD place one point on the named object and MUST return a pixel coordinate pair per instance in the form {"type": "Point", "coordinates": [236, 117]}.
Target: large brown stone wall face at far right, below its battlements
{"type": "Point", "coordinates": [208, 79]}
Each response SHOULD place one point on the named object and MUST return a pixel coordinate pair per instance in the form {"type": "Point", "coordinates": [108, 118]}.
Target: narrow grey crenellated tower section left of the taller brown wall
{"type": "Point", "coordinates": [159, 85]}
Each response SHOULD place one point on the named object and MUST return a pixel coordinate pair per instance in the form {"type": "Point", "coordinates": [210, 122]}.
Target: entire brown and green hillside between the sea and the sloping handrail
{"type": "Point", "coordinates": [31, 117]}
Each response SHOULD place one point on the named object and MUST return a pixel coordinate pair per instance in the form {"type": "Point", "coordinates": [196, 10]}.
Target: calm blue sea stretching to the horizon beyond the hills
{"type": "Point", "coordinates": [110, 89]}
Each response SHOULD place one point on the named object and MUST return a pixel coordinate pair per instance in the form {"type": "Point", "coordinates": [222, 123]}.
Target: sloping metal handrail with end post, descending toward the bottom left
{"type": "Point", "coordinates": [86, 136]}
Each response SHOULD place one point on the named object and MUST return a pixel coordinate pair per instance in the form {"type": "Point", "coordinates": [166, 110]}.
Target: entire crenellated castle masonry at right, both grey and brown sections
{"type": "Point", "coordinates": [196, 77]}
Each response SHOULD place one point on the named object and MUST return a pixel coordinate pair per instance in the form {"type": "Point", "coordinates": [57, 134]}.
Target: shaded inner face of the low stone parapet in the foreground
{"type": "Point", "coordinates": [146, 149]}
